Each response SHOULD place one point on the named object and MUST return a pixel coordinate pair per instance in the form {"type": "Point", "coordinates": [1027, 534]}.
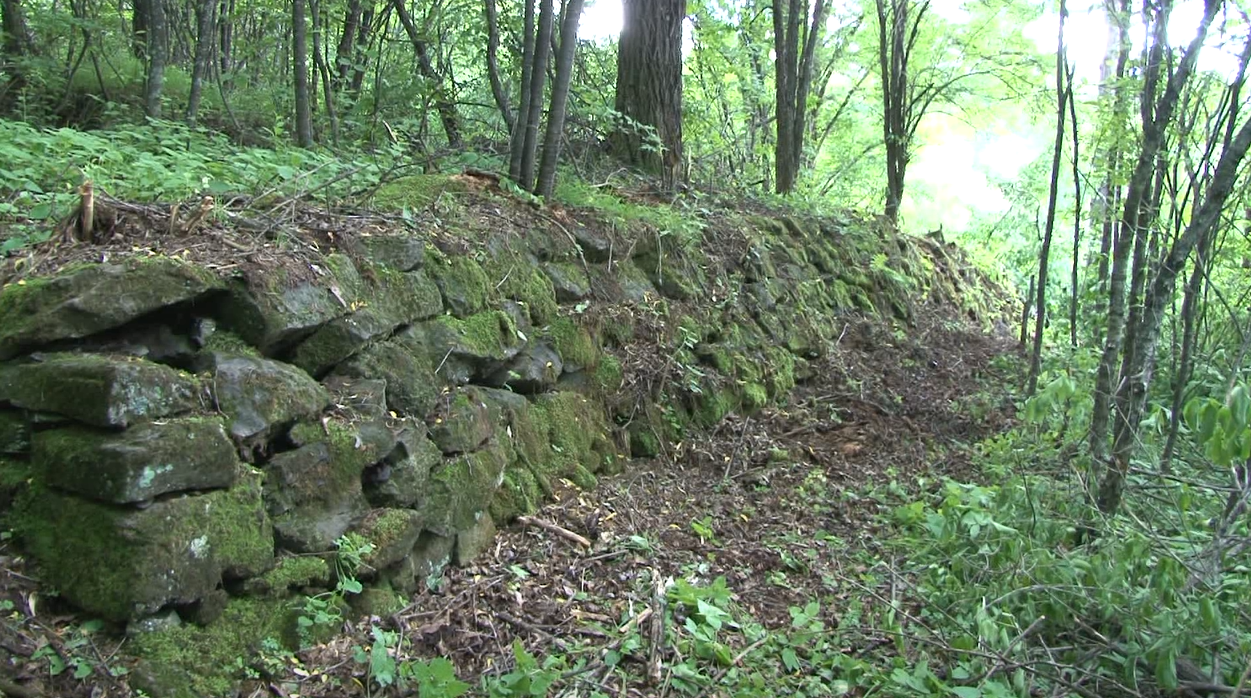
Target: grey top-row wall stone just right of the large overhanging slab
{"type": "Point", "coordinates": [275, 313]}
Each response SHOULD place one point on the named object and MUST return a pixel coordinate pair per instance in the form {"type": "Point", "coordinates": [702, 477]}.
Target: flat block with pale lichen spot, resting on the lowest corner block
{"type": "Point", "coordinates": [141, 463]}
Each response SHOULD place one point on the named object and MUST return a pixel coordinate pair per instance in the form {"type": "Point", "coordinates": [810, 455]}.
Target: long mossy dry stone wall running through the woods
{"type": "Point", "coordinates": [175, 441]}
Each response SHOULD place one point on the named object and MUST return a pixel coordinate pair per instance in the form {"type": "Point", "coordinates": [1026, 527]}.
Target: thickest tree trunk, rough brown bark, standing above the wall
{"type": "Point", "coordinates": [650, 88]}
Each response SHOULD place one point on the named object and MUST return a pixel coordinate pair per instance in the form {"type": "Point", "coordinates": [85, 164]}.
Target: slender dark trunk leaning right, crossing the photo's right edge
{"type": "Point", "coordinates": [1133, 395]}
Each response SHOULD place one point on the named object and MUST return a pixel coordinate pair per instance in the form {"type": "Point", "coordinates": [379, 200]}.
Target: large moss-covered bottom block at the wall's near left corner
{"type": "Point", "coordinates": [122, 564]}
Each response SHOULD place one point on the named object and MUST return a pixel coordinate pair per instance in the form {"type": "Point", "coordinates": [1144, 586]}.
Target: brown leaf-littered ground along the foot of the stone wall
{"type": "Point", "coordinates": [783, 505]}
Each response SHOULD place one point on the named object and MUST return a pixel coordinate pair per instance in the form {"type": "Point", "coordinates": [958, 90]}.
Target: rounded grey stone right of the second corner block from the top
{"type": "Point", "coordinates": [262, 397]}
